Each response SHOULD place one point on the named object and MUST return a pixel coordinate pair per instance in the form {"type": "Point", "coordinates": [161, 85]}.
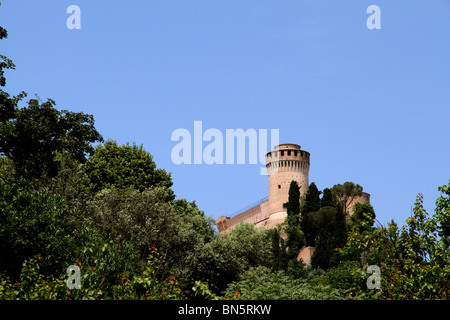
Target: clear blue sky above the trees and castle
{"type": "Point", "coordinates": [371, 106]}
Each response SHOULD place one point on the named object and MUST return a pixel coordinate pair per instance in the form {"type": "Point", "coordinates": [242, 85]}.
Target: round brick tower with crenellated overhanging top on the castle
{"type": "Point", "coordinates": [284, 164]}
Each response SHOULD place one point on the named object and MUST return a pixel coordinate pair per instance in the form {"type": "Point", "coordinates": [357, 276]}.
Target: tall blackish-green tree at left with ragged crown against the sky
{"type": "Point", "coordinates": [31, 136]}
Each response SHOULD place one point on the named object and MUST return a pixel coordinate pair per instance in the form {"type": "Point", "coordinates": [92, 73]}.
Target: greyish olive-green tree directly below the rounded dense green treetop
{"type": "Point", "coordinates": [145, 216]}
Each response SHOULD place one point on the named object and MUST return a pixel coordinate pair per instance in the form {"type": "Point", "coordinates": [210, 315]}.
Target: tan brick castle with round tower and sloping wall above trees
{"type": "Point", "coordinates": [285, 163]}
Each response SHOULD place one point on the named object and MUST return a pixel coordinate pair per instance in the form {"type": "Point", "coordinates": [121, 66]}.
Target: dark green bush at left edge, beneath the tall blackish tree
{"type": "Point", "coordinates": [32, 222]}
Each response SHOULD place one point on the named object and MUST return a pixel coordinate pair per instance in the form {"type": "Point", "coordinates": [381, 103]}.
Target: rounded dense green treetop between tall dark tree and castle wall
{"type": "Point", "coordinates": [120, 167]}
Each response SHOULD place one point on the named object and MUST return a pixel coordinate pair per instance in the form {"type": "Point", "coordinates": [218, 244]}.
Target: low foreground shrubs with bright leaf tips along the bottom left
{"type": "Point", "coordinates": [94, 285]}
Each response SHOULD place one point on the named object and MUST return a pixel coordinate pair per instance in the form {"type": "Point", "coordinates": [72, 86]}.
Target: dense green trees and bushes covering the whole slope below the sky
{"type": "Point", "coordinates": [67, 197]}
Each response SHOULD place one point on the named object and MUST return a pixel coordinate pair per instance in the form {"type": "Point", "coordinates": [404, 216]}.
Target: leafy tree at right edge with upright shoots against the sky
{"type": "Point", "coordinates": [414, 259]}
